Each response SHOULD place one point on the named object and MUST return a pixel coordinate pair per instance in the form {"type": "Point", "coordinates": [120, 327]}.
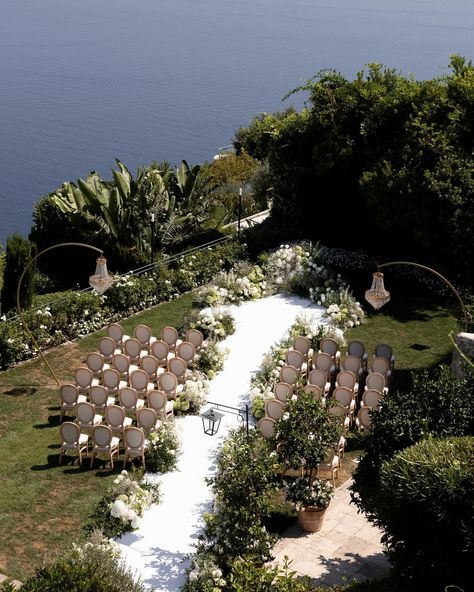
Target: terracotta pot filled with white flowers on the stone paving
{"type": "Point", "coordinates": [311, 498]}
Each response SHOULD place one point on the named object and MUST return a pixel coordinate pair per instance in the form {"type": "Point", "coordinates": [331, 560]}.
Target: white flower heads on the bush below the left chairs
{"type": "Point", "coordinates": [131, 501]}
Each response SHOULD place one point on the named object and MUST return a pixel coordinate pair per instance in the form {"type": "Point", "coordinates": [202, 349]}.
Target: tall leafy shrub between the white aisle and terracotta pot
{"type": "Point", "coordinates": [243, 489]}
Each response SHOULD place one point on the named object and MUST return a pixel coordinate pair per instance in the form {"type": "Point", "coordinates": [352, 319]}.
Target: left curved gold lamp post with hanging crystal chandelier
{"type": "Point", "coordinates": [100, 281]}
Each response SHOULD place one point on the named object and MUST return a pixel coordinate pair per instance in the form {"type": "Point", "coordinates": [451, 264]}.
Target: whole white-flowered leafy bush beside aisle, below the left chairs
{"type": "Point", "coordinates": [122, 506]}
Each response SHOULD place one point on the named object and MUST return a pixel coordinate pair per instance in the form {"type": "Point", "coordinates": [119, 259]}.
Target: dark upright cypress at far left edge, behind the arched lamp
{"type": "Point", "coordinates": [18, 253]}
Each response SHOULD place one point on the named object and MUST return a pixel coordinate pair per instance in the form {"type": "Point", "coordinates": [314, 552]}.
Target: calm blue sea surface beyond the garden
{"type": "Point", "coordinates": [83, 82]}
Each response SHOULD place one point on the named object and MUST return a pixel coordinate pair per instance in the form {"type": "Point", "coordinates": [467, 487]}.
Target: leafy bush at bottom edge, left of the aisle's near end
{"type": "Point", "coordinates": [94, 566]}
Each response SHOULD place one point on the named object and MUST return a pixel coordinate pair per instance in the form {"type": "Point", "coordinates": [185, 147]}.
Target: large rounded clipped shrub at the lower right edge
{"type": "Point", "coordinates": [426, 510]}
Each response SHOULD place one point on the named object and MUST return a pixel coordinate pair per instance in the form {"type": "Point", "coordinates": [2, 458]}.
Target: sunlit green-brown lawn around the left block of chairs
{"type": "Point", "coordinates": [42, 505]}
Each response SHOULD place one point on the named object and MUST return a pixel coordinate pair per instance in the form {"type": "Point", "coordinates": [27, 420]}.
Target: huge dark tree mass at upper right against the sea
{"type": "Point", "coordinates": [393, 153]}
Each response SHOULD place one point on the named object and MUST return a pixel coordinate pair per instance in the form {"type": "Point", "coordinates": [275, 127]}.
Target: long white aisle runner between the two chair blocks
{"type": "Point", "coordinates": [158, 550]}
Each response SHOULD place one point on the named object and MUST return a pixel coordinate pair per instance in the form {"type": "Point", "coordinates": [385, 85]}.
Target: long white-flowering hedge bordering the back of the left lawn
{"type": "Point", "coordinates": [68, 315]}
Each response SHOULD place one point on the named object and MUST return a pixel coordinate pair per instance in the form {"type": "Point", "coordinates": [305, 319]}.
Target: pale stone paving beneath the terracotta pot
{"type": "Point", "coordinates": [347, 547]}
